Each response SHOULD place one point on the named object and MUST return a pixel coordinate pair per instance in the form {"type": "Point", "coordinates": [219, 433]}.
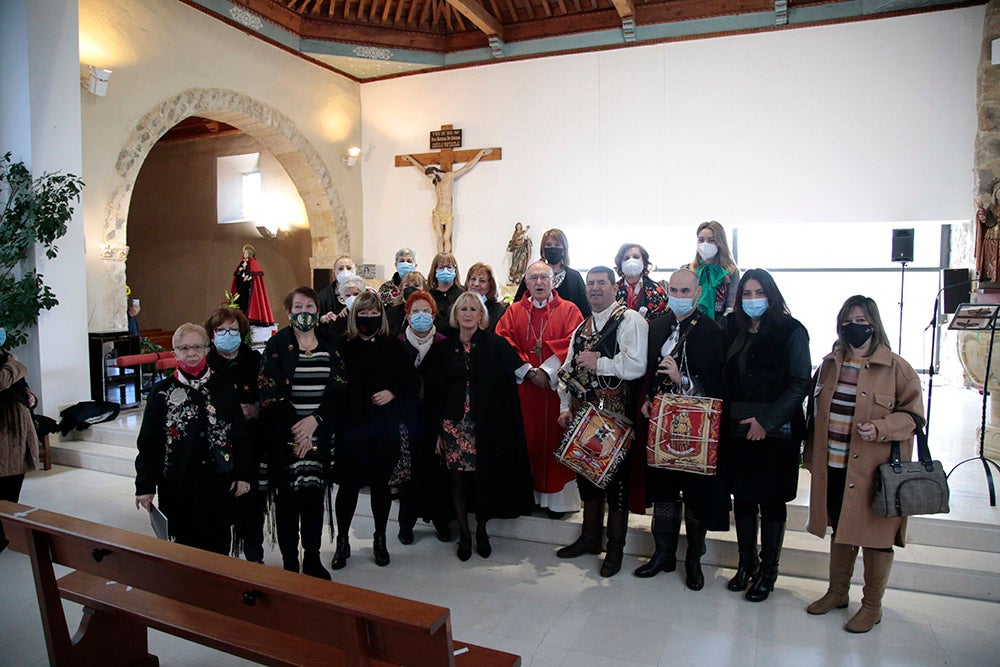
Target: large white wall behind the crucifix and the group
{"type": "Point", "coordinates": [862, 122]}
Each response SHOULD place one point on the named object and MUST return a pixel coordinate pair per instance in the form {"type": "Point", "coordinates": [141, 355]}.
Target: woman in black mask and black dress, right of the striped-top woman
{"type": "Point", "coordinates": [373, 440]}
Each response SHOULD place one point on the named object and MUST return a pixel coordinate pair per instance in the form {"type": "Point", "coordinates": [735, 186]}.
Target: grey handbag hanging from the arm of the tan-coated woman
{"type": "Point", "coordinates": [906, 488]}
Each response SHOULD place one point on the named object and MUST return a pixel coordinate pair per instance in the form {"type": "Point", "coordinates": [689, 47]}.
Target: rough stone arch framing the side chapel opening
{"type": "Point", "coordinates": [327, 219]}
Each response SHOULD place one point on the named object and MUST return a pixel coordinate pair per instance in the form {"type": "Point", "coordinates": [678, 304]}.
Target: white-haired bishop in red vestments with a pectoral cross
{"type": "Point", "coordinates": [540, 327]}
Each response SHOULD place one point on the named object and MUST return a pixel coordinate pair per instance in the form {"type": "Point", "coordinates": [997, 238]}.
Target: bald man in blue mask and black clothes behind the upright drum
{"type": "Point", "coordinates": [686, 353]}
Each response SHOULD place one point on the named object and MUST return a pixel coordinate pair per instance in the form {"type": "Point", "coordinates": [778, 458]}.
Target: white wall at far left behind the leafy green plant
{"type": "Point", "coordinates": [41, 126]}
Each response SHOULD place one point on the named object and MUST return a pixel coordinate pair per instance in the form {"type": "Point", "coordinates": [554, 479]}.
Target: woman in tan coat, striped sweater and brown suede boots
{"type": "Point", "coordinates": [865, 397]}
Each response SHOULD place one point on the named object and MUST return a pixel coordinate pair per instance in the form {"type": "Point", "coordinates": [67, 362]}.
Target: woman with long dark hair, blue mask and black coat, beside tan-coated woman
{"type": "Point", "coordinates": [767, 375]}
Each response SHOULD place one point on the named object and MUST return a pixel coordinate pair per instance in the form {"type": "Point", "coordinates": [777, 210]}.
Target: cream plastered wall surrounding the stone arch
{"type": "Point", "coordinates": [160, 48]}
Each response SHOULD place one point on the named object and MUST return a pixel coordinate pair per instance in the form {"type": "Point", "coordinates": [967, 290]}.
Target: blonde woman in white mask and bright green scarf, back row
{"type": "Point", "coordinates": [717, 272]}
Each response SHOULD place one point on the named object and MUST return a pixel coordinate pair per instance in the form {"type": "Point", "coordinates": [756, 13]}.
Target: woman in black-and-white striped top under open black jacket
{"type": "Point", "coordinates": [300, 382]}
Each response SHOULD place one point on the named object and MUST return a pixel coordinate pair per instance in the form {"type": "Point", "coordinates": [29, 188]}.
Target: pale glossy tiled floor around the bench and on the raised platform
{"type": "Point", "coordinates": [552, 612]}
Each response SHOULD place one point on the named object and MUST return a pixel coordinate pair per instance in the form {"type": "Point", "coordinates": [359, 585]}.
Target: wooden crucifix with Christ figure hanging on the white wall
{"type": "Point", "coordinates": [437, 167]}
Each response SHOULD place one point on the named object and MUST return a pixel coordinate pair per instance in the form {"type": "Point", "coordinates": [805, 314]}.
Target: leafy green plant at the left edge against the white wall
{"type": "Point", "coordinates": [32, 210]}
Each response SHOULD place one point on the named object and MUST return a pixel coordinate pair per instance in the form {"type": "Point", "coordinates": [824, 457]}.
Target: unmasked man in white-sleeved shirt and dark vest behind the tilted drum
{"type": "Point", "coordinates": [607, 353]}
